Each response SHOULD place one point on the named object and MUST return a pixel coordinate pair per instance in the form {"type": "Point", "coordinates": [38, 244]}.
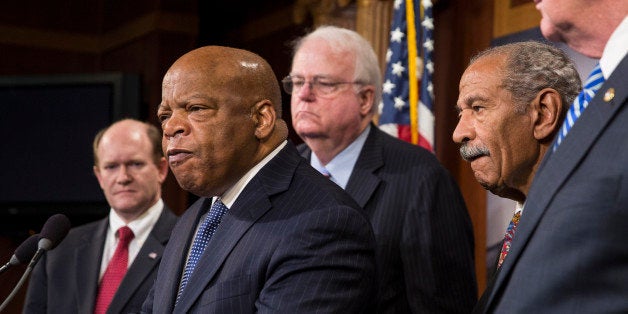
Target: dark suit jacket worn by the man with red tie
{"type": "Point", "coordinates": [66, 278]}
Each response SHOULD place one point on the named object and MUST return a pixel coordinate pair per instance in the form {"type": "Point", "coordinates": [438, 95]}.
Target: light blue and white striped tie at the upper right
{"type": "Point", "coordinates": [593, 83]}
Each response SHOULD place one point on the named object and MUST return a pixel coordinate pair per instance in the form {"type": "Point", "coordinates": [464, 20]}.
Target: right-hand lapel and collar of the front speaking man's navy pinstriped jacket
{"type": "Point", "coordinates": [250, 205]}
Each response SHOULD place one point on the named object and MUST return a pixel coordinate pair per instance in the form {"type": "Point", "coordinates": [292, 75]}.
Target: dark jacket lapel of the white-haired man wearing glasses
{"type": "Point", "coordinates": [363, 181]}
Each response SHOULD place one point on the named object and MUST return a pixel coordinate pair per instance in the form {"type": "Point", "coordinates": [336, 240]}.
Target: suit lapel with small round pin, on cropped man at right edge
{"type": "Point", "coordinates": [557, 167]}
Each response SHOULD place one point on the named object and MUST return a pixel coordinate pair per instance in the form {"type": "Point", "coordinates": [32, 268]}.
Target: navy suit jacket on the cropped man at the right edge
{"type": "Point", "coordinates": [569, 254]}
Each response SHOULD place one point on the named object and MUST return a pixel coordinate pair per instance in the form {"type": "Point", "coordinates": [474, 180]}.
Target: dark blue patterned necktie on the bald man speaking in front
{"type": "Point", "coordinates": [201, 239]}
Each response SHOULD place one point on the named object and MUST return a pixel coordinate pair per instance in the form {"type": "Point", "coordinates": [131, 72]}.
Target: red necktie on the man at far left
{"type": "Point", "coordinates": [115, 271]}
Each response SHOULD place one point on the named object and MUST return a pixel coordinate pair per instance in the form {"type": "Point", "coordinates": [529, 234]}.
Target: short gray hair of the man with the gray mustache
{"type": "Point", "coordinates": [532, 66]}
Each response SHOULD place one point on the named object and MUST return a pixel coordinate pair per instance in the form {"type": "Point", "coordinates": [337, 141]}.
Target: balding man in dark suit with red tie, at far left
{"type": "Point", "coordinates": [130, 168]}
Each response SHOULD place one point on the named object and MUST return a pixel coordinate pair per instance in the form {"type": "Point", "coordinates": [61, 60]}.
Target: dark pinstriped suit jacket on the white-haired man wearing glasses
{"type": "Point", "coordinates": [423, 231]}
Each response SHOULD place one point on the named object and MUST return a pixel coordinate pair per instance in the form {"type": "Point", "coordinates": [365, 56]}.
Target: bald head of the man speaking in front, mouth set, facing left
{"type": "Point", "coordinates": [221, 115]}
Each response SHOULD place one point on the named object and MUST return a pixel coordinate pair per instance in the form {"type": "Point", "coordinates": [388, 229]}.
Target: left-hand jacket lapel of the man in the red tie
{"type": "Point", "coordinates": [88, 256]}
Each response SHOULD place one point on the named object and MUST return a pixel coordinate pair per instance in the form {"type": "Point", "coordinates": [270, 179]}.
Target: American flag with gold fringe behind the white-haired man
{"type": "Point", "coordinates": [406, 111]}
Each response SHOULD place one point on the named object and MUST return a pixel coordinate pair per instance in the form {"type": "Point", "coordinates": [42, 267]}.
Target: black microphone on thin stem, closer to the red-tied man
{"type": "Point", "coordinates": [53, 231]}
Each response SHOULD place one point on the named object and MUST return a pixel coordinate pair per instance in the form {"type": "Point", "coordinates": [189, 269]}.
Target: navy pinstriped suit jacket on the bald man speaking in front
{"type": "Point", "coordinates": [293, 242]}
